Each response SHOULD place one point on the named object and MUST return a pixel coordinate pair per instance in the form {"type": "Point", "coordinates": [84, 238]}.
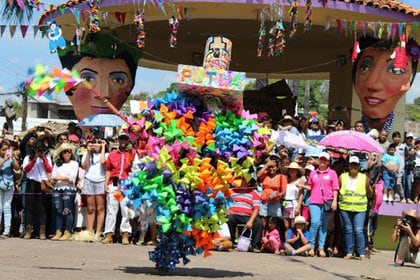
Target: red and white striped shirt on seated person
{"type": "Point", "coordinates": [244, 203]}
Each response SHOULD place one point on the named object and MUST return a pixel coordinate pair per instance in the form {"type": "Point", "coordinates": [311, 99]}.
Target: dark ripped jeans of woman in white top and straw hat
{"type": "Point", "coordinates": [64, 208]}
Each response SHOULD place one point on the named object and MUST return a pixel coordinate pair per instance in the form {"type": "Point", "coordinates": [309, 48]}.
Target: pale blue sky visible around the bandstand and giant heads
{"type": "Point", "coordinates": [18, 54]}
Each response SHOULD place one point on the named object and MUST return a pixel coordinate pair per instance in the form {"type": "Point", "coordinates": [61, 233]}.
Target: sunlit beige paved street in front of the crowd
{"type": "Point", "coordinates": [35, 259]}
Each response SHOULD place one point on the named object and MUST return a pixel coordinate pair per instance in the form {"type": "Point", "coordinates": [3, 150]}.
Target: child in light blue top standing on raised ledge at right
{"type": "Point", "coordinates": [390, 163]}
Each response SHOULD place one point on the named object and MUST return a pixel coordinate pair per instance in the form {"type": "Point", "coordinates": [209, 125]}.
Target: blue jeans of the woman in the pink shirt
{"type": "Point", "coordinates": [319, 219]}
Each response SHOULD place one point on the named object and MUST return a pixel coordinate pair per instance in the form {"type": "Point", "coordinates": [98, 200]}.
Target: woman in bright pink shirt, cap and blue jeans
{"type": "Point", "coordinates": [324, 186]}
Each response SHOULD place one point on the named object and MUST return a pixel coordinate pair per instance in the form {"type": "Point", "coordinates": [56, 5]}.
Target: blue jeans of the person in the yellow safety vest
{"type": "Point", "coordinates": [353, 223]}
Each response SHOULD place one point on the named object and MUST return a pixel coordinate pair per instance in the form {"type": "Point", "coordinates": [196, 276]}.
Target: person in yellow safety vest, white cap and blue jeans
{"type": "Point", "coordinates": [353, 202]}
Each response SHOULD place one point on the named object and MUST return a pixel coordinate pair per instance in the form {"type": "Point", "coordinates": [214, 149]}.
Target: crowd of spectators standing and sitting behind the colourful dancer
{"type": "Point", "coordinates": [61, 187]}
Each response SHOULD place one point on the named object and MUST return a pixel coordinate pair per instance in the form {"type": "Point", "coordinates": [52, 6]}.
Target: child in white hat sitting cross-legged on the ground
{"type": "Point", "coordinates": [297, 240]}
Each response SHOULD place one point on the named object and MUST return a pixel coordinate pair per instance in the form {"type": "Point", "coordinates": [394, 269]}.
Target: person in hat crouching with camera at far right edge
{"type": "Point", "coordinates": [406, 233]}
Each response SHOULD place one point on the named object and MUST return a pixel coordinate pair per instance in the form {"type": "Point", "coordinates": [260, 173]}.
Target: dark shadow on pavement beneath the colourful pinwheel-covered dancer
{"type": "Point", "coordinates": [187, 272]}
